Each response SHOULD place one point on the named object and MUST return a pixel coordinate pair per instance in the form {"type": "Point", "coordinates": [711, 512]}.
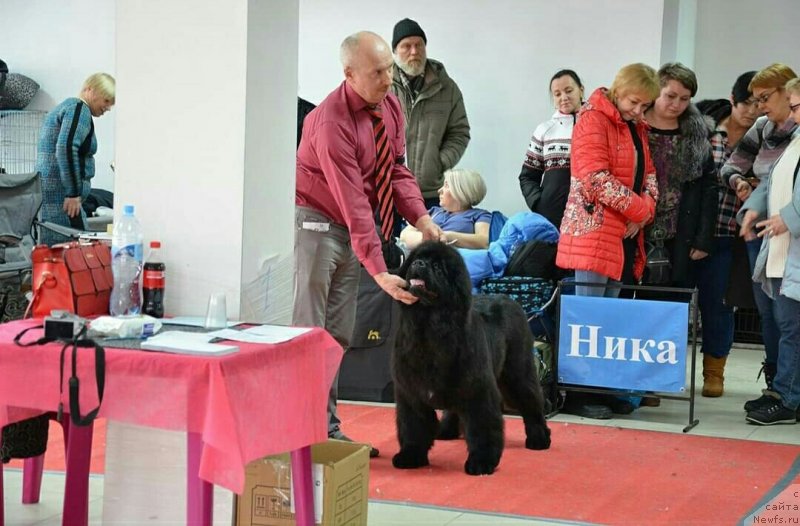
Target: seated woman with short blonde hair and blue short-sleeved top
{"type": "Point", "coordinates": [463, 225]}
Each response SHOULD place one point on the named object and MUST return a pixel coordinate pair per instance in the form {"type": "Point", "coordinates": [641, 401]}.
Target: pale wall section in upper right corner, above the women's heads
{"type": "Point", "coordinates": [738, 36]}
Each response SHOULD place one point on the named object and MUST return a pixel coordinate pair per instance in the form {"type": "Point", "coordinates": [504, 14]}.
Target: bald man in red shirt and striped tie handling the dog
{"type": "Point", "coordinates": [336, 197]}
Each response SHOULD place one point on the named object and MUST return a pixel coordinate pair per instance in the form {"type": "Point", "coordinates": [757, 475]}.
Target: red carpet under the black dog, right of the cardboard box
{"type": "Point", "coordinates": [591, 473]}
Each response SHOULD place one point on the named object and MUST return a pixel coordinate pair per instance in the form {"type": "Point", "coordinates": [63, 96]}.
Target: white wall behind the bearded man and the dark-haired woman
{"type": "Point", "coordinates": [501, 53]}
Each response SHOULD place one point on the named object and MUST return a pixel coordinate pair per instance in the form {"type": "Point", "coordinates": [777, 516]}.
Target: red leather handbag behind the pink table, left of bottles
{"type": "Point", "coordinates": [74, 277]}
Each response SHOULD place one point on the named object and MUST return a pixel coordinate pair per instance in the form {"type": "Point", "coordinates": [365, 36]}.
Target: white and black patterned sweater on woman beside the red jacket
{"type": "Point", "coordinates": [545, 176]}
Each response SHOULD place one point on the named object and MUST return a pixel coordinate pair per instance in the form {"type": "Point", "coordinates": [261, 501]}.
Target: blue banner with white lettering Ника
{"type": "Point", "coordinates": [639, 345]}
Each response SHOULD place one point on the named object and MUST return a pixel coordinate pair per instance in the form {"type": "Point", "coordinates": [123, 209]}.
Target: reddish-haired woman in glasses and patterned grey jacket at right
{"type": "Point", "coordinates": [749, 165]}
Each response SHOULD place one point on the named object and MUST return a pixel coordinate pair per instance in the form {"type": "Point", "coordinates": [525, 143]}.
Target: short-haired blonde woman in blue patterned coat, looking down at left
{"type": "Point", "coordinates": [65, 160]}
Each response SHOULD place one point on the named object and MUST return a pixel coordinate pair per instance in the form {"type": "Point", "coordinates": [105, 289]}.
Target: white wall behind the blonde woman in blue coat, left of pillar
{"type": "Point", "coordinates": [58, 44]}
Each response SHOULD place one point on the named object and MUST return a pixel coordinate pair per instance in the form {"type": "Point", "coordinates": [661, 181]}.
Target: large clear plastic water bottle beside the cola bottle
{"type": "Point", "coordinates": [126, 265]}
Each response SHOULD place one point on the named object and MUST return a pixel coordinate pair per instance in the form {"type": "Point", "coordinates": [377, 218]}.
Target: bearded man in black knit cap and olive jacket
{"type": "Point", "coordinates": [437, 129]}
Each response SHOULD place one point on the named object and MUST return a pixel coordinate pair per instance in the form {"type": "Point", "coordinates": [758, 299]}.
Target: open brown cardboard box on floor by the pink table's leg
{"type": "Point", "coordinates": [341, 486]}
